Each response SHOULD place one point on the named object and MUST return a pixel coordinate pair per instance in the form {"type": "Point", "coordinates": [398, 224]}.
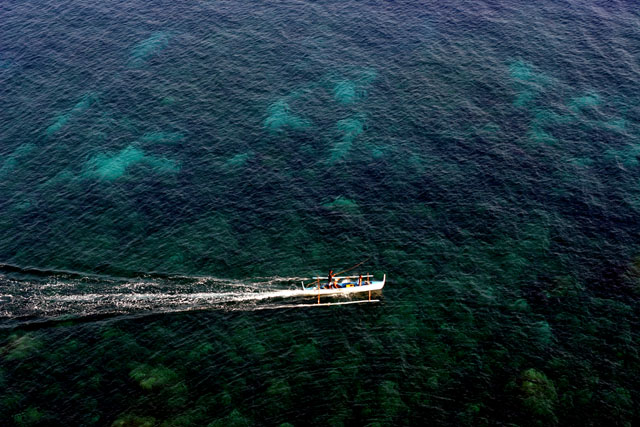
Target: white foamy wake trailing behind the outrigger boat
{"type": "Point", "coordinates": [37, 296]}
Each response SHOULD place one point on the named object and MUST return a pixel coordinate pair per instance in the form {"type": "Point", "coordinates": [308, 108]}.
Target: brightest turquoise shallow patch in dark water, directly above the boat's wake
{"type": "Point", "coordinates": [111, 167]}
